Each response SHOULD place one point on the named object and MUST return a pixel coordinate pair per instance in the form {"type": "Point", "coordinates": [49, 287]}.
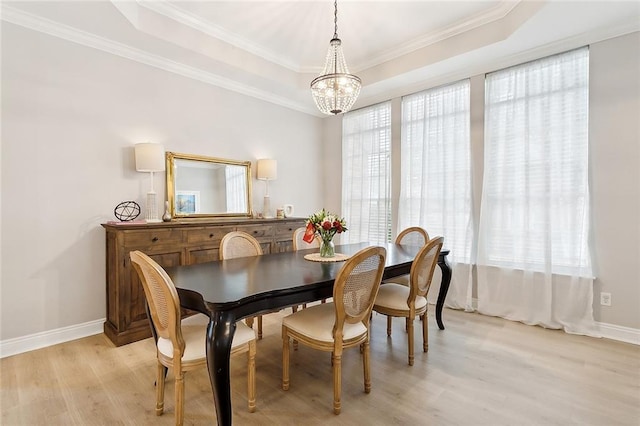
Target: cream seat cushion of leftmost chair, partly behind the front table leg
{"type": "Point", "coordinates": [195, 337]}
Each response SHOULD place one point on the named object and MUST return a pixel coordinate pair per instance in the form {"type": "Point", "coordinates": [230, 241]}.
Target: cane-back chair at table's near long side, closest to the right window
{"type": "Point", "coordinates": [398, 300]}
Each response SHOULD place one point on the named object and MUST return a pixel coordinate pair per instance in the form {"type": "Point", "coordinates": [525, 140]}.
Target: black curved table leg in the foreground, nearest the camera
{"type": "Point", "coordinates": [220, 333]}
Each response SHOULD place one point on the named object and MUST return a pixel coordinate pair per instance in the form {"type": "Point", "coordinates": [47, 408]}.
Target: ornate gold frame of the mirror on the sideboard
{"type": "Point", "coordinates": [171, 158]}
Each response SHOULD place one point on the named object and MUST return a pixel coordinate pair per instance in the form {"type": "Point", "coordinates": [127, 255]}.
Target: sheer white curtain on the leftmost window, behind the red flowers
{"type": "Point", "coordinates": [366, 174]}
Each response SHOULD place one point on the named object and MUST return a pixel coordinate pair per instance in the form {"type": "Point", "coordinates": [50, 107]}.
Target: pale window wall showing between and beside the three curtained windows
{"type": "Point", "coordinates": [614, 132]}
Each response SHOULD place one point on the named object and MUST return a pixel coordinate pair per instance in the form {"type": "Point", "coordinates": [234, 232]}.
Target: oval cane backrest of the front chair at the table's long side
{"type": "Point", "coordinates": [356, 286]}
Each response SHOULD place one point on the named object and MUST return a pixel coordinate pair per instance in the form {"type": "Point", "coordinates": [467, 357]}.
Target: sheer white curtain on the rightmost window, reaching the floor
{"type": "Point", "coordinates": [534, 263]}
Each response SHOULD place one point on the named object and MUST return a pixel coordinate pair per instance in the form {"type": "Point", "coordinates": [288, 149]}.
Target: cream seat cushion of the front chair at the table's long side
{"type": "Point", "coordinates": [317, 323]}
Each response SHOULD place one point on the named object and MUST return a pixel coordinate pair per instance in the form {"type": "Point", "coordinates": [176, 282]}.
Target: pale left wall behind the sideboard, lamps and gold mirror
{"type": "Point", "coordinates": [70, 116]}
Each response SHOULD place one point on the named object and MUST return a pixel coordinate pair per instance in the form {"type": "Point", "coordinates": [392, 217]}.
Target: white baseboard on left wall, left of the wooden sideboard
{"type": "Point", "coordinates": [43, 339]}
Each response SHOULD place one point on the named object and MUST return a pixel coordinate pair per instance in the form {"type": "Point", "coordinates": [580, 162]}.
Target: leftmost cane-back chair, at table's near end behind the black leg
{"type": "Point", "coordinates": [181, 344]}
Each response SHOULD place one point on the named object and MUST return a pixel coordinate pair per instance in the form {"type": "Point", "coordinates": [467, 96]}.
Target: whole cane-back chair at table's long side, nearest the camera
{"type": "Point", "coordinates": [341, 324]}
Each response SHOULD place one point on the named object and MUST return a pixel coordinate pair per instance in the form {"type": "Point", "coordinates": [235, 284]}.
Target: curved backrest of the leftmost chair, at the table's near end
{"type": "Point", "coordinates": [162, 298]}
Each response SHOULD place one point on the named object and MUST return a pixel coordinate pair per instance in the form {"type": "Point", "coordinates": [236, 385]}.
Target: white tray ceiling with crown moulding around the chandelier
{"type": "Point", "coordinates": [272, 49]}
